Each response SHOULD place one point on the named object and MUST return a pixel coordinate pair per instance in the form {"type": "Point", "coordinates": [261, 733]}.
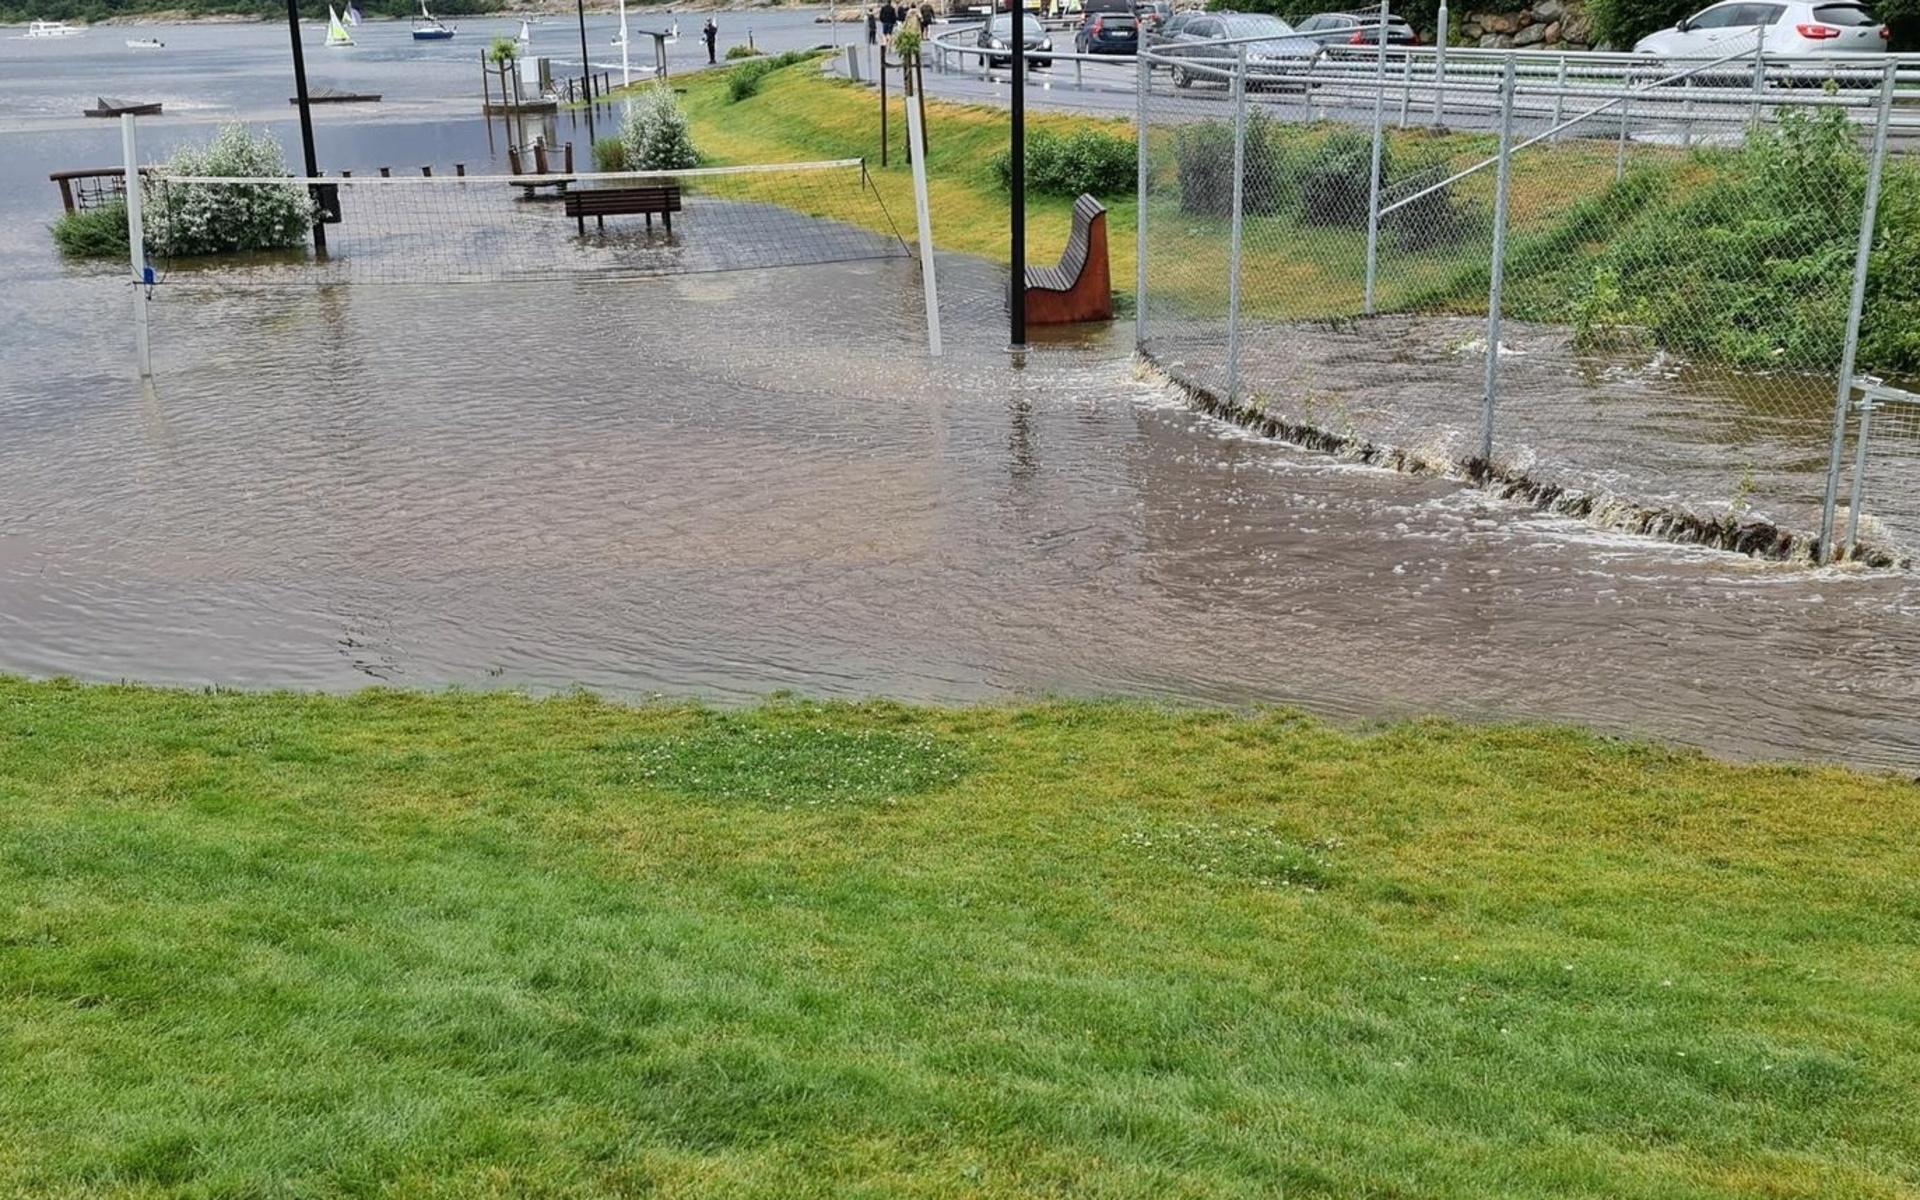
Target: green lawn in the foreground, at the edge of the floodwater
{"type": "Point", "coordinates": [485, 948]}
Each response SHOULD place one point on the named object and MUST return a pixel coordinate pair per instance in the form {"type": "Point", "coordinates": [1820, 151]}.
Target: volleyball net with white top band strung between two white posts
{"type": "Point", "coordinates": [437, 229]}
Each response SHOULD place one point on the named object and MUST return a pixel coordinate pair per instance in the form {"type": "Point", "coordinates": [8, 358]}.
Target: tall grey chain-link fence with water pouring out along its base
{"type": "Point", "coordinates": [1623, 293]}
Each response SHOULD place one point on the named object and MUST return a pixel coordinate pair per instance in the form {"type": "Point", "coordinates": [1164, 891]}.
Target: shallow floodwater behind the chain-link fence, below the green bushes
{"type": "Point", "coordinates": [1633, 427]}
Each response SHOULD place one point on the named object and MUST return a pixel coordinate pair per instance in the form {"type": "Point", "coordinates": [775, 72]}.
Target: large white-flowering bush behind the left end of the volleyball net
{"type": "Point", "coordinates": [193, 220]}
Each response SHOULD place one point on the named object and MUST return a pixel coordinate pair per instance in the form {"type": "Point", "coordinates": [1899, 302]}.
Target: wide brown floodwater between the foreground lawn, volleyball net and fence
{"type": "Point", "coordinates": [734, 483]}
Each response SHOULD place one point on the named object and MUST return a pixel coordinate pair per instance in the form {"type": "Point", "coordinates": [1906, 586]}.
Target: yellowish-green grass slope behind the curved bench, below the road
{"type": "Point", "coordinates": [1295, 270]}
